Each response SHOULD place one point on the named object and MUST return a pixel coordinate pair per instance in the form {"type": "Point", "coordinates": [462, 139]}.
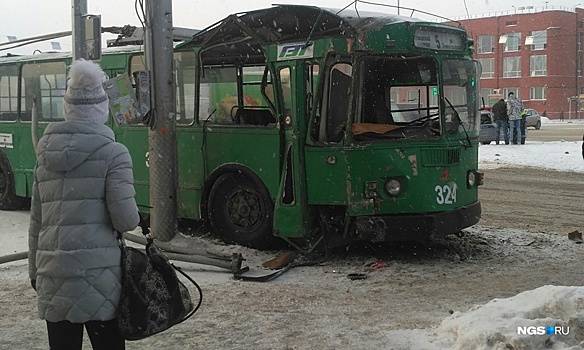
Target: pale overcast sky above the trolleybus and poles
{"type": "Point", "coordinates": [28, 18]}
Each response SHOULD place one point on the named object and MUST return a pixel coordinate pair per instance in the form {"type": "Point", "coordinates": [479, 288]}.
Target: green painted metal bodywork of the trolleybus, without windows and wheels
{"type": "Point", "coordinates": [302, 173]}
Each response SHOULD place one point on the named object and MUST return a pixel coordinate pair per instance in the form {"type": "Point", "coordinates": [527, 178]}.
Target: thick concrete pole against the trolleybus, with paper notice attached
{"type": "Point", "coordinates": [162, 135]}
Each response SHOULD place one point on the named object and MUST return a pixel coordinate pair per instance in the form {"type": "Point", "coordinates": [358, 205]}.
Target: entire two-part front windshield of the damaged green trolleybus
{"type": "Point", "coordinates": [401, 98]}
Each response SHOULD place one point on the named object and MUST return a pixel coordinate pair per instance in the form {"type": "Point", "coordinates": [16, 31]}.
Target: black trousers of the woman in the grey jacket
{"type": "Point", "coordinates": [104, 335]}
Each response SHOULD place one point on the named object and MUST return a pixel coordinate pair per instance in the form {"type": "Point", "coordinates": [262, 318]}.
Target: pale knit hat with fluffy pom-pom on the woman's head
{"type": "Point", "coordinates": [85, 99]}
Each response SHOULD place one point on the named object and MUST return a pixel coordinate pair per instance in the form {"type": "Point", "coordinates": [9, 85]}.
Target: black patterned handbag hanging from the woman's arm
{"type": "Point", "coordinates": [153, 298]}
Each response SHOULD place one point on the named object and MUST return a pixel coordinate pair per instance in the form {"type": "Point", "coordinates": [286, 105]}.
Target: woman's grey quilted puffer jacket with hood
{"type": "Point", "coordinates": [83, 190]}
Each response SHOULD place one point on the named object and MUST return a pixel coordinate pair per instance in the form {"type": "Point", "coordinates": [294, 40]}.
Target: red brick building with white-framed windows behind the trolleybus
{"type": "Point", "coordinates": [538, 54]}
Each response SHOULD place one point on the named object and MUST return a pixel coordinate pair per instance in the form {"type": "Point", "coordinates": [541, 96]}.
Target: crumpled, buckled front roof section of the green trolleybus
{"type": "Point", "coordinates": [283, 23]}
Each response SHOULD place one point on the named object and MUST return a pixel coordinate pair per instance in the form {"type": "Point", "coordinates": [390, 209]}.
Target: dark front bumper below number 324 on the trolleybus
{"type": "Point", "coordinates": [416, 227]}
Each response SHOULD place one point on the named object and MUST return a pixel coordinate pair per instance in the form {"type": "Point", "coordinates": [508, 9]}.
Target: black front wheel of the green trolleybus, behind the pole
{"type": "Point", "coordinates": [241, 211]}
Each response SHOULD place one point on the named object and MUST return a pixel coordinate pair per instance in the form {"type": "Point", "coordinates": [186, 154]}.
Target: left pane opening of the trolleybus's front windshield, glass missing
{"type": "Point", "coordinates": [399, 98]}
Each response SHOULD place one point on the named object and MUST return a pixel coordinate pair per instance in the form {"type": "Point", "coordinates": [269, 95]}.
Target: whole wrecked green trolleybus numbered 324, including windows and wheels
{"type": "Point", "coordinates": [294, 123]}
